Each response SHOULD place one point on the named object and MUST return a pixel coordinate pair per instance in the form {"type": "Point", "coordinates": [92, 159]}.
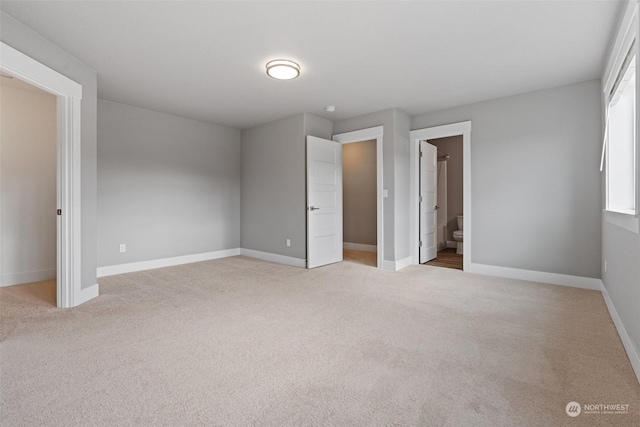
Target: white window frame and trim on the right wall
{"type": "Point", "coordinates": [627, 34]}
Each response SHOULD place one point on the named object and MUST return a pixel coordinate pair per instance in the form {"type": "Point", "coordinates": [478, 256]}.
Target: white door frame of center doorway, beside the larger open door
{"type": "Point", "coordinates": [376, 133]}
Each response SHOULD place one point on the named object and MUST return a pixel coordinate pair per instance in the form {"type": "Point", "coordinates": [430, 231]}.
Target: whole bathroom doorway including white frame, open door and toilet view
{"type": "Point", "coordinates": [429, 235]}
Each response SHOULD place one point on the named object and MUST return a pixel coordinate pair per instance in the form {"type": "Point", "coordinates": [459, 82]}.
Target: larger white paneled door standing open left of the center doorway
{"type": "Point", "coordinates": [324, 202]}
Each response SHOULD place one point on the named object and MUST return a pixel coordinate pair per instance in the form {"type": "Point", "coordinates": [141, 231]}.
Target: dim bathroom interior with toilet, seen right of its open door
{"type": "Point", "coordinates": [449, 202]}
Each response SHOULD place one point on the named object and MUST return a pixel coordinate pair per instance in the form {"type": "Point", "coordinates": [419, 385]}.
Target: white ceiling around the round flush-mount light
{"type": "Point", "coordinates": [205, 60]}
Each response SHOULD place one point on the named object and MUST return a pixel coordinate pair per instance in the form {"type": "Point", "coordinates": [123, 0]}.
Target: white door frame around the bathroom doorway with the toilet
{"type": "Point", "coordinates": [454, 129]}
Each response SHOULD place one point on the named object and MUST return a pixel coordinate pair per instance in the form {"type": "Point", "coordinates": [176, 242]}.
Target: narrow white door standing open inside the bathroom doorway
{"type": "Point", "coordinates": [428, 200]}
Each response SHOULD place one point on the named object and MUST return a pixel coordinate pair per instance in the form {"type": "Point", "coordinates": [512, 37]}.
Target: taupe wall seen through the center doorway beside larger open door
{"type": "Point", "coordinates": [359, 192]}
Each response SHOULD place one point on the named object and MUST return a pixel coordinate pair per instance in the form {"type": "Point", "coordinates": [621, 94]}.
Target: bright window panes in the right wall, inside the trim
{"type": "Point", "coordinates": [621, 137]}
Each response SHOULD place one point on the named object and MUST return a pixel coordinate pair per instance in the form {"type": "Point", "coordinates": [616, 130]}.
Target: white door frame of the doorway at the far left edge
{"type": "Point", "coordinates": [69, 94]}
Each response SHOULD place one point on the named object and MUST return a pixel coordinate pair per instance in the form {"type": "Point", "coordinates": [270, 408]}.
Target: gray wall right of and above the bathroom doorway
{"type": "Point", "coordinates": [536, 191]}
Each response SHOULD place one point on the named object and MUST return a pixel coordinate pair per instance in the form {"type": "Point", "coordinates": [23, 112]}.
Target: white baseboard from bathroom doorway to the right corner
{"type": "Point", "coordinates": [537, 276]}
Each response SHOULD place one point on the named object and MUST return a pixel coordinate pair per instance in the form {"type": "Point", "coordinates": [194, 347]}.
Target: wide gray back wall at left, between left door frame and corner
{"type": "Point", "coordinates": [168, 186]}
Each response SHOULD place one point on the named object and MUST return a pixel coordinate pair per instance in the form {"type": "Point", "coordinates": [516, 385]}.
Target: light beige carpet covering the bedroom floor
{"type": "Point", "coordinates": [239, 341]}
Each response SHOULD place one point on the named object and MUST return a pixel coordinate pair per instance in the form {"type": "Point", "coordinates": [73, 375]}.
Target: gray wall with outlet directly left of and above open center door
{"type": "Point", "coordinates": [273, 184]}
